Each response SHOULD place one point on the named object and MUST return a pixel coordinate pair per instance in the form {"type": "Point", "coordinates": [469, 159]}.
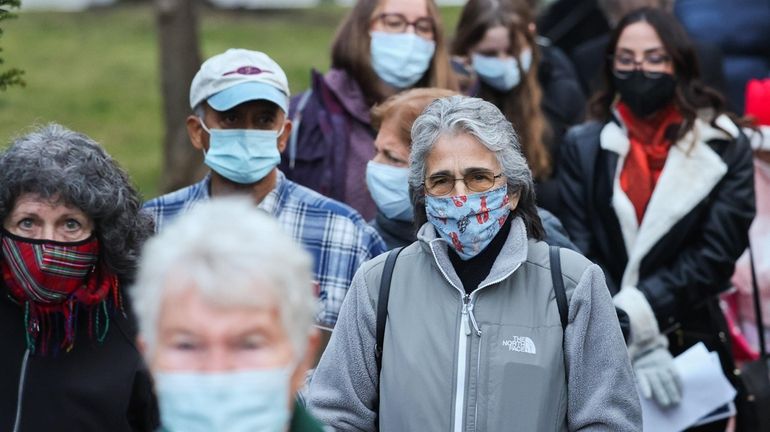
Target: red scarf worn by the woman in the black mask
{"type": "Point", "coordinates": [650, 142]}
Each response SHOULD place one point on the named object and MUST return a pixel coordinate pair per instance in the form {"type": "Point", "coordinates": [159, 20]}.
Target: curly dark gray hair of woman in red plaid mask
{"type": "Point", "coordinates": [69, 167]}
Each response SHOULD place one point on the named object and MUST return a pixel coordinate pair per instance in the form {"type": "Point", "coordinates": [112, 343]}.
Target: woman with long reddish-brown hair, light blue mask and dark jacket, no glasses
{"type": "Point", "coordinates": [498, 54]}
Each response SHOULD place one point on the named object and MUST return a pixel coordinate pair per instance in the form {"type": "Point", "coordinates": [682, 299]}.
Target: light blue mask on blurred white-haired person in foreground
{"type": "Point", "coordinates": [241, 401]}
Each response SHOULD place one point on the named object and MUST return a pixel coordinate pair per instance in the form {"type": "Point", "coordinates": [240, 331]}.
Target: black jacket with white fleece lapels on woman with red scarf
{"type": "Point", "coordinates": [694, 229]}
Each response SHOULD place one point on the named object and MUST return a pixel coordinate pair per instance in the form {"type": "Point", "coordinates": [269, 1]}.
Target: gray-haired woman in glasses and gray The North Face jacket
{"type": "Point", "coordinates": [475, 337]}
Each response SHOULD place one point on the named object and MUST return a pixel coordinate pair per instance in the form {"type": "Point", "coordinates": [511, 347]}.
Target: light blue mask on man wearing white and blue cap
{"type": "Point", "coordinates": [243, 156]}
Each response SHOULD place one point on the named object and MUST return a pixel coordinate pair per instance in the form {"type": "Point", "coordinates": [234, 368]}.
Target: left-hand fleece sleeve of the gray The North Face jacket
{"type": "Point", "coordinates": [343, 390]}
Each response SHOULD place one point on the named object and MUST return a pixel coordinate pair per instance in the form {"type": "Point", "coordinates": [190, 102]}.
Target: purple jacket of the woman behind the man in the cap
{"type": "Point", "coordinates": [332, 140]}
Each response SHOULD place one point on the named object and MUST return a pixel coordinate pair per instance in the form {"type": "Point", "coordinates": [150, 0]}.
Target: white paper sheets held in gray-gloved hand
{"type": "Point", "coordinates": [704, 389]}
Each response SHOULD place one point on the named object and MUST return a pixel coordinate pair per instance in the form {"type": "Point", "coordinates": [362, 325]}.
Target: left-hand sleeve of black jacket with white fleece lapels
{"type": "Point", "coordinates": [573, 194]}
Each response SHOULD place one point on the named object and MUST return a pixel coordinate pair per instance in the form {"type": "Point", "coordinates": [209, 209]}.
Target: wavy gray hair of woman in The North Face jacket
{"type": "Point", "coordinates": [484, 121]}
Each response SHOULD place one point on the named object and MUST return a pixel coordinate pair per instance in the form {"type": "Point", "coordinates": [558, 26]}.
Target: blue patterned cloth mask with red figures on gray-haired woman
{"type": "Point", "coordinates": [469, 222]}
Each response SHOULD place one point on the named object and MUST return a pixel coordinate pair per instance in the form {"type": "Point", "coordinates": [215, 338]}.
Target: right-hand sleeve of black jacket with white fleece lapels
{"type": "Point", "coordinates": [703, 268]}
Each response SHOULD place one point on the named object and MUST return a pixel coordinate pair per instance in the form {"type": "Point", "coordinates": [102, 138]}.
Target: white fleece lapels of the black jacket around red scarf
{"type": "Point", "coordinates": [691, 172]}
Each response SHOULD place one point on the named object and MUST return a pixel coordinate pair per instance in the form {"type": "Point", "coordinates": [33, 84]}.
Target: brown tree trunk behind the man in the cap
{"type": "Point", "coordinates": [179, 61]}
